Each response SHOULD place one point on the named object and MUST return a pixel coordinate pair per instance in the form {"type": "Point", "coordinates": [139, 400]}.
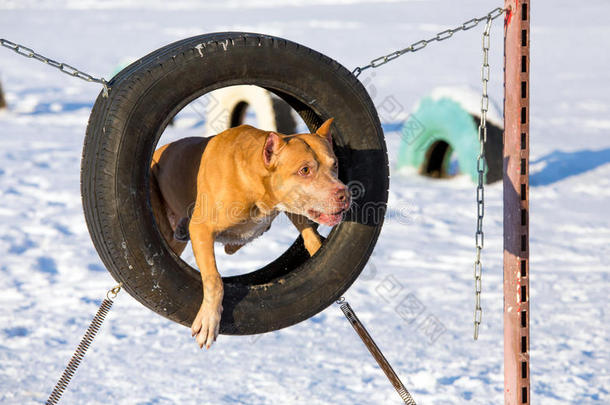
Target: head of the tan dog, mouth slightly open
{"type": "Point", "coordinates": [303, 173]}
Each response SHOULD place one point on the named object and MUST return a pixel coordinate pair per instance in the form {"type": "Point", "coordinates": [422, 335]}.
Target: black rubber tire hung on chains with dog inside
{"type": "Point", "coordinates": [122, 134]}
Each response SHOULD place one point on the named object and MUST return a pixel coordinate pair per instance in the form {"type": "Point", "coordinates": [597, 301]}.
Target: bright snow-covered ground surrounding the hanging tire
{"type": "Point", "coordinates": [52, 279]}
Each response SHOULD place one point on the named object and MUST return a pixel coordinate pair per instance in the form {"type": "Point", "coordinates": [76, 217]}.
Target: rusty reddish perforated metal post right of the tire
{"type": "Point", "coordinates": [516, 203]}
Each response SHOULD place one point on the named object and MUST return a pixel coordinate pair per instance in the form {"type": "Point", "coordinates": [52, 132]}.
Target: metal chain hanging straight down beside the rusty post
{"type": "Point", "coordinates": [481, 164]}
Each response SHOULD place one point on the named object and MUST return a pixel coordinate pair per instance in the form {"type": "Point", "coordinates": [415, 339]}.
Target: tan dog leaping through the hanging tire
{"type": "Point", "coordinates": [230, 187]}
